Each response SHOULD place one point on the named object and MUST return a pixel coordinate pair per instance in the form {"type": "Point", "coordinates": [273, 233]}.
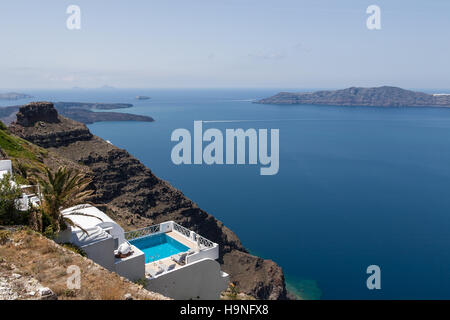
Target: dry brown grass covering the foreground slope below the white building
{"type": "Point", "coordinates": [36, 256]}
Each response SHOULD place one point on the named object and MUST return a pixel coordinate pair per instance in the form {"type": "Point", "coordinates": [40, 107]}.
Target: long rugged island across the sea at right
{"type": "Point", "coordinates": [374, 97]}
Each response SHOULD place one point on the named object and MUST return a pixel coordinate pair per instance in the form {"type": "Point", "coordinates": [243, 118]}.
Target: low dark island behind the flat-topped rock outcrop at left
{"type": "Point", "coordinates": [82, 112]}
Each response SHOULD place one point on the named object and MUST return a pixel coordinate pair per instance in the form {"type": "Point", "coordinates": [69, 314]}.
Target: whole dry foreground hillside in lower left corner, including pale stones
{"type": "Point", "coordinates": [35, 268]}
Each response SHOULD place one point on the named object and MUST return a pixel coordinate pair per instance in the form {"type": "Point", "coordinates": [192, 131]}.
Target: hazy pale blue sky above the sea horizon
{"type": "Point", "coordinates": [224, 43]}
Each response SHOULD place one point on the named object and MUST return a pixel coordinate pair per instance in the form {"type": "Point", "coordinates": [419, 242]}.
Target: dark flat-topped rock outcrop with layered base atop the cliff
{"type": "Point", "coordinates": [40, 123]}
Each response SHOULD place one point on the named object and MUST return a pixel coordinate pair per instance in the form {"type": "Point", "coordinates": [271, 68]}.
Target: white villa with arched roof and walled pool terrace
{"type": "Point", "coordinates": [175, 261]}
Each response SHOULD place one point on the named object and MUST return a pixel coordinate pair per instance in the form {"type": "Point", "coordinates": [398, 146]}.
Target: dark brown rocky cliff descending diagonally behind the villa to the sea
{"type": "Point", "coordinates": [135, 197]}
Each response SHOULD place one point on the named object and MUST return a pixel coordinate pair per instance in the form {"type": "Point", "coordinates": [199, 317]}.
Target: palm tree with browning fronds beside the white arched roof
{"type": "Point", "coordinates": [61, 190]}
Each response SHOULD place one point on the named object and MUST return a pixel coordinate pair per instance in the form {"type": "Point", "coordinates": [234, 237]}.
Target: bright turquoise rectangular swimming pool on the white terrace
{"type": "Point", "coordinates": [158, 246]}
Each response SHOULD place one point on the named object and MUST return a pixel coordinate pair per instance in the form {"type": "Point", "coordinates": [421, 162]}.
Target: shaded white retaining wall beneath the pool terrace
{"type": "Point", "coordinates": [202, 280]}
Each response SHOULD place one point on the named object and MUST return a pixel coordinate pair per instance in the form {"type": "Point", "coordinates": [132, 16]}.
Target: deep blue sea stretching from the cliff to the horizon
{"type": "Point", "coordinates": [357, 186]}
